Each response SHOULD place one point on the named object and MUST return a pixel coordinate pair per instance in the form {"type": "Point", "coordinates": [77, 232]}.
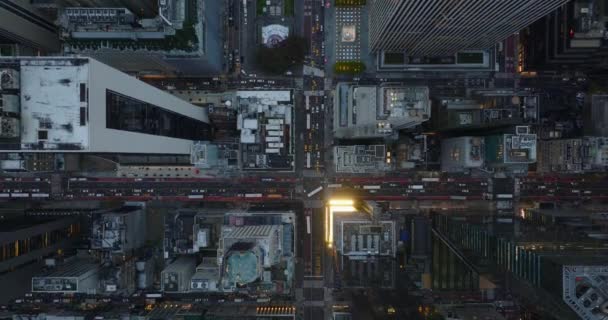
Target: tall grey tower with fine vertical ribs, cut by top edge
{"type": "Point", "coordinates": [444, 27]}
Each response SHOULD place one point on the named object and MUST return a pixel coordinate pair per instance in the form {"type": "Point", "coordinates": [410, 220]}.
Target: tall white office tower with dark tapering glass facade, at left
{"type": "Point", "coordinates": [65, 104]}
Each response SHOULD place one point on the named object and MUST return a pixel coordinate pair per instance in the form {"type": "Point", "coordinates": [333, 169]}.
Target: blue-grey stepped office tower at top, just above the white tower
{"type": "Point", "coordinates": [179, 40]}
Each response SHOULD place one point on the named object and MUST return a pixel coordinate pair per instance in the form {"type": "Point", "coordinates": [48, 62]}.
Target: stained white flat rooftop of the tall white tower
{"type": "Point", "coordinates": [50, 105]}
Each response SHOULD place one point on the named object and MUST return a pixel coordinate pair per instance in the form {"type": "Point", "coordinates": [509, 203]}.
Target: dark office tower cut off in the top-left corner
{"type": "Point", "coordinates": [23, 31]}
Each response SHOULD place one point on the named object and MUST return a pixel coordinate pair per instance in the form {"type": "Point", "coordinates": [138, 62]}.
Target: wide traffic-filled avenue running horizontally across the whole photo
{"type": "Point", "coordinates": [537, 187]}
